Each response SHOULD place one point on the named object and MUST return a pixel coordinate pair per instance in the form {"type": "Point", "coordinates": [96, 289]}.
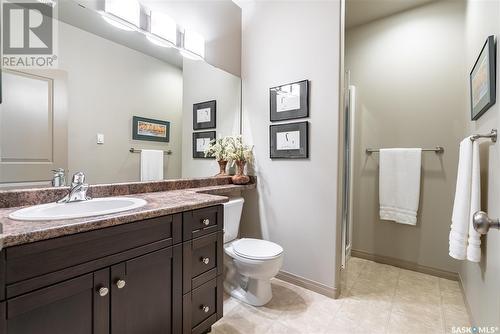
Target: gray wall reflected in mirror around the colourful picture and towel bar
{"type": "Point", "coordinates": [107, 85]}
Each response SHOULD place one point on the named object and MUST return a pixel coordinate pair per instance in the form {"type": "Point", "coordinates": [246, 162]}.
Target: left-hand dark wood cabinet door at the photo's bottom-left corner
{"type": "Point", "coordinates": [66, 307]}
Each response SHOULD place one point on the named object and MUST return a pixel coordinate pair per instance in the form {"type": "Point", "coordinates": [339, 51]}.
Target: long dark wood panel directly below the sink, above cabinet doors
{"type": "Point", "coordinates": [43, 257]}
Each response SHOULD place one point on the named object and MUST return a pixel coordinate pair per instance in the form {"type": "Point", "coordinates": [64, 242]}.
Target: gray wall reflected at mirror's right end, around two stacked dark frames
{"type": "Point", "coordinates": [203, 82]}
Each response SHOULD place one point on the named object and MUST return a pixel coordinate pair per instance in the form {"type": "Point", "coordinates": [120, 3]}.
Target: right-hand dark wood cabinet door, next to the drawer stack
{"type": "Point", "coordinates": [146, 293]}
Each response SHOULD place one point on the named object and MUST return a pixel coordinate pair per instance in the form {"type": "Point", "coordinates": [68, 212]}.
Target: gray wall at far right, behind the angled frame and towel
{"type": "Point", "coordinates": [480, 281]}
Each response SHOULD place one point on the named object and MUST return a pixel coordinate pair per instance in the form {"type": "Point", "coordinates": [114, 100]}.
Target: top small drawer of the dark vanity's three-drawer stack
{"type": "Point", "coordinates": [202, 221]}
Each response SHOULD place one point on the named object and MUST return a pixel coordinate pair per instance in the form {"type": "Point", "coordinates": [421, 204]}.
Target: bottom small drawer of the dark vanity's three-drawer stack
{"type": "Point", "coordinates": [203, 307]}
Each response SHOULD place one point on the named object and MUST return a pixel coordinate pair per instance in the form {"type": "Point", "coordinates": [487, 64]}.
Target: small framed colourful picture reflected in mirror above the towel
{"type": "Point", "coordinates": [150, 129]}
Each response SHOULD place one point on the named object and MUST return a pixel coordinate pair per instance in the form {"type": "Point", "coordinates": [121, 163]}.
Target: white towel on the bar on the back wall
{"type": "Point", "coordinates": [399, 184]}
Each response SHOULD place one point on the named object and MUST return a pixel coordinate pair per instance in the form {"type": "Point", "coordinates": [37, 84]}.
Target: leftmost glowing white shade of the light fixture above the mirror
{"type": "Point", "coordinates": [122, 14]}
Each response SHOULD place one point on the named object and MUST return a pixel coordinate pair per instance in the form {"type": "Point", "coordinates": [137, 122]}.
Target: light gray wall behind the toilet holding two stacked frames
{"type": "Point", "coordinates": [295, 201]}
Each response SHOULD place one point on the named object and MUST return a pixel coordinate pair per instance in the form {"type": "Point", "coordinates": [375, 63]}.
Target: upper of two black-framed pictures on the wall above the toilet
{"type": "Point", "coordinates": [289, 101]}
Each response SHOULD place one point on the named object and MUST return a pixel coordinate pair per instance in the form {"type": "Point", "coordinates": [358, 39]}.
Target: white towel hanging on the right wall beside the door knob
{"type": "Point", "coordinates": [465, 242]}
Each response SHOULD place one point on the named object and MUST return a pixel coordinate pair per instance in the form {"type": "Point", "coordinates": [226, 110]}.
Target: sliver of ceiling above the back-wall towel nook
{"type": "Point", "coordinates": [363, 11]}
